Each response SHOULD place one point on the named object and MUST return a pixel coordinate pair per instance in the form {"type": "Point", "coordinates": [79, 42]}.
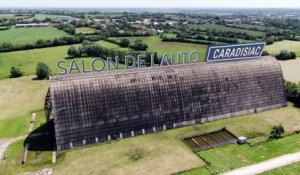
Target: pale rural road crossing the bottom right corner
{"type": "Point", "coordinates": [266, 165]}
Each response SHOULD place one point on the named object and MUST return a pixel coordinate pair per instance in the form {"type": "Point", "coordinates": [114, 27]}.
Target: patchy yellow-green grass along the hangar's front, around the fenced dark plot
{"type": "Point", "coordinates": [165, 153]}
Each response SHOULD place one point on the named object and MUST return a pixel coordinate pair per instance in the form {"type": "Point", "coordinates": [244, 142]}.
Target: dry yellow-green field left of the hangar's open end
{"type": "Point", "coordinates": [24, 94]}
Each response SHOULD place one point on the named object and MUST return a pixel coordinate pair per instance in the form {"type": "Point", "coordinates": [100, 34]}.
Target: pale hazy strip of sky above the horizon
{"type": "Point", "coordinates": [153, 3]}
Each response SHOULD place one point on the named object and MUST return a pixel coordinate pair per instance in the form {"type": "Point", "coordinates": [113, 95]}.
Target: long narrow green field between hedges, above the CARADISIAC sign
{"type": "Point", "coordinates": [226, 29]}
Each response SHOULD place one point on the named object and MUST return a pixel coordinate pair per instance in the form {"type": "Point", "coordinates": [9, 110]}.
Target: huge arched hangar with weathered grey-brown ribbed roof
{"type": "Point", "coordinates": [96, 107]}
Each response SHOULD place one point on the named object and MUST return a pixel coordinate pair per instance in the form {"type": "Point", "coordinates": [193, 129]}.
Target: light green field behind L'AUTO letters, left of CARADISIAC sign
{"type": "Point", "coordinates": [156, 45]}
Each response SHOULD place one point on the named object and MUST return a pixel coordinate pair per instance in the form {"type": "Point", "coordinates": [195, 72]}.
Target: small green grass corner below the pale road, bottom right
{"type": "Point", "coordinates": [289, 169]}
